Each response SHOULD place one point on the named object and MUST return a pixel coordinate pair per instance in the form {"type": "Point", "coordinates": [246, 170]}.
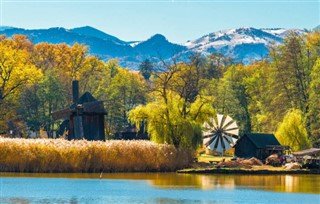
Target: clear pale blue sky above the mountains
{"type": "Point", "coordinates": [178, 20]}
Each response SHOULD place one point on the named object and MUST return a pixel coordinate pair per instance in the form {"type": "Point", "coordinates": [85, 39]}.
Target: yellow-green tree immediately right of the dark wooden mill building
{"type": "Point", "coordinates": [121, 93]}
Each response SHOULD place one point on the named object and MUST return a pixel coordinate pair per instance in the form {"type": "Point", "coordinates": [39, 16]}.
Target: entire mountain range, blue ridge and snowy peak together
{"type": "Point", "coordinates": [242, 44]}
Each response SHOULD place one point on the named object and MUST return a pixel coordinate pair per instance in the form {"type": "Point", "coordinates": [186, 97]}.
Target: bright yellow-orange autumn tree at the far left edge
{"type": "Point", "coordinates": [16, 71]}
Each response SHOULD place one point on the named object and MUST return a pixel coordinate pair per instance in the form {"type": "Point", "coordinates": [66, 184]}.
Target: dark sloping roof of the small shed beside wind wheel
{"type": "Point", "coordinates": [261, 140]}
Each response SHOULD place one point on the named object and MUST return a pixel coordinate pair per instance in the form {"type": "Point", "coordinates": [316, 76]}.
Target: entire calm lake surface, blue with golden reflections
{"type": "Point", "coordinates": [158, 188]}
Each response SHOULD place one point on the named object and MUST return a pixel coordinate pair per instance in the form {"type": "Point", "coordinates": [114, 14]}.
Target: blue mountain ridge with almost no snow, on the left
{"type": "Point", "coordinates": [129, 54]}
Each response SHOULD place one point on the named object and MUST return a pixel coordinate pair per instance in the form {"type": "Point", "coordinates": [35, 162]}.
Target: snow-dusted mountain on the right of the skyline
{"type": "Point", "coordinates": [242, 44]}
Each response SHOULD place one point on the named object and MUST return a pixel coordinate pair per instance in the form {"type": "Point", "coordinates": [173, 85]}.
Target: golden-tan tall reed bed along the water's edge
{"type": "Point", "coordinates": [58, 155]}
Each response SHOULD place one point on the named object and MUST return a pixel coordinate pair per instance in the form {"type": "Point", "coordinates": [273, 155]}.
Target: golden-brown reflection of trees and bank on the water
{"type": "Point", "coordinates": [278, 183]}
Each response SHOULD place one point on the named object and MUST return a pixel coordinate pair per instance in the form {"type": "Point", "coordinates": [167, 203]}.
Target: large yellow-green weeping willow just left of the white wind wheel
{"type": "Point", "coordinates": [166, 124]}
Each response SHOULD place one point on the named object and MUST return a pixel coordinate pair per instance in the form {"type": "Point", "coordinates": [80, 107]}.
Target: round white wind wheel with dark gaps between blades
{"type": "Point", "coordinates": [220, 133]}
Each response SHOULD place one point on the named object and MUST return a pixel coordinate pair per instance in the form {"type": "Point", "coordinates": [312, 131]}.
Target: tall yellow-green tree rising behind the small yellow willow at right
{"type": "Point", "coordinates": [291, 73]}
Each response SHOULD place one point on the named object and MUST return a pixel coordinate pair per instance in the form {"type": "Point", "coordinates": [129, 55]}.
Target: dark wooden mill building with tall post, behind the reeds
{"type": "Point", "coordinates": [84, 119]}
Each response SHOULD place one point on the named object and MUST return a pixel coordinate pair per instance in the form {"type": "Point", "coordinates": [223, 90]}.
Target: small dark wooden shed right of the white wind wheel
{"type": "Point", "coordinates": [258, 145]}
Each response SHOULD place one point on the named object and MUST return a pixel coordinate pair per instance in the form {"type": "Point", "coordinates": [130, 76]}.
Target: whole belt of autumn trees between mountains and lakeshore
{"type": "Point", "coordinates": [280, 94]}
